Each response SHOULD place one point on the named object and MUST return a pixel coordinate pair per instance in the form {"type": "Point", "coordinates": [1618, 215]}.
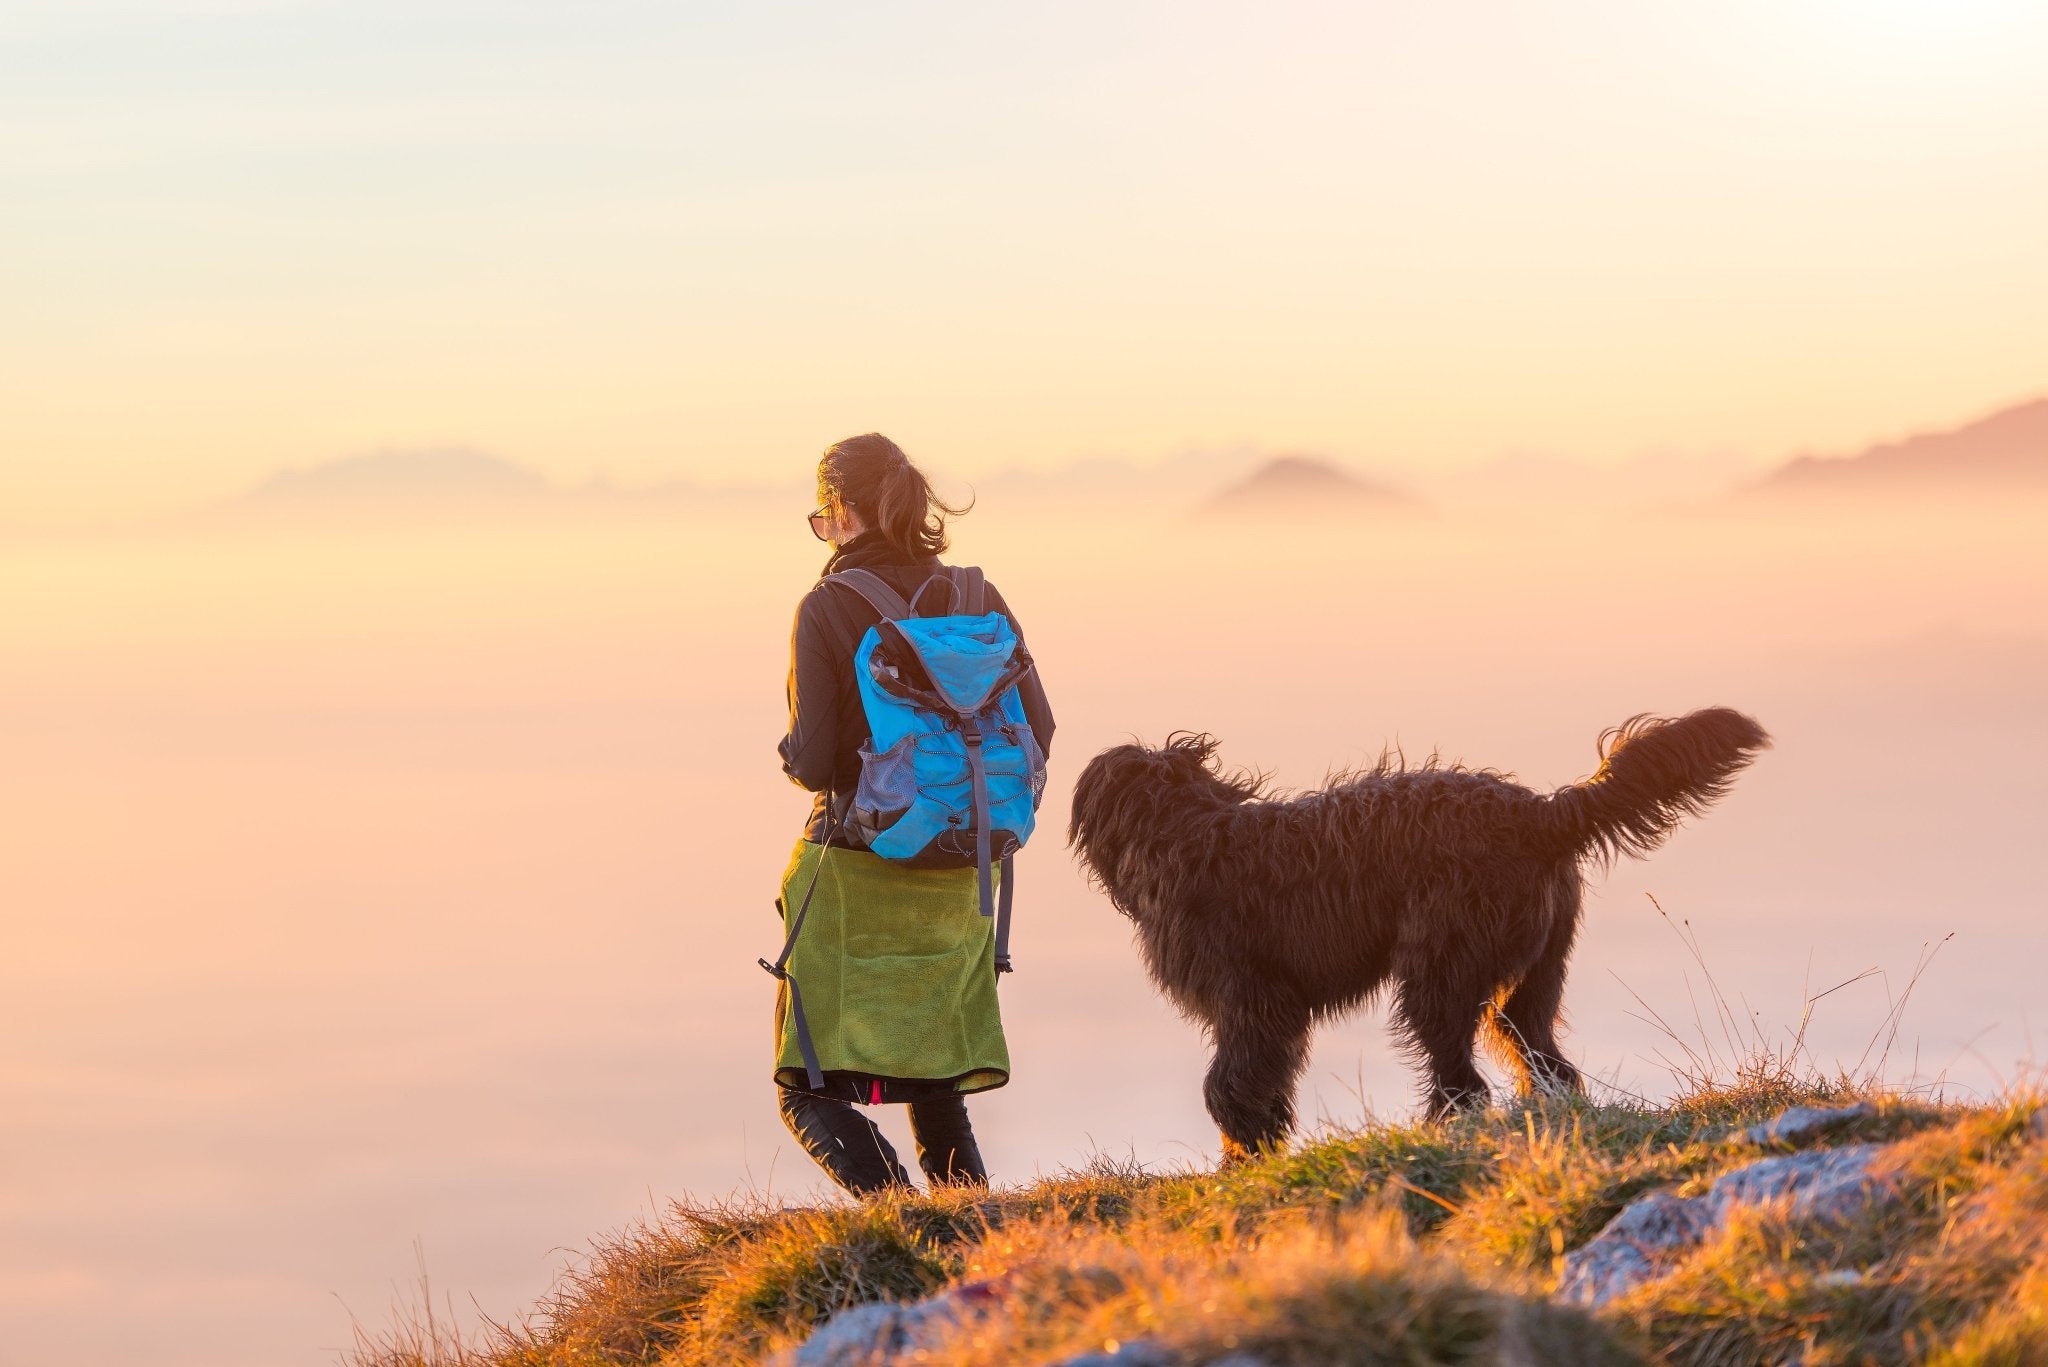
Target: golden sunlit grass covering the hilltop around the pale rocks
{"type": "Point", "coordinates": [1398, 1245]}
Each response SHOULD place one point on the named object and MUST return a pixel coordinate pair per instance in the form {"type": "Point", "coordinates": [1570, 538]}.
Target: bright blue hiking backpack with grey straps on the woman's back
{"type": "Point", "coordinates": [953, 774]}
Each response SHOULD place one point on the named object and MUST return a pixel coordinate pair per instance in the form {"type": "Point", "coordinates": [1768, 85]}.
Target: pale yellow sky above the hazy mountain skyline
{"type": "Point", "coordinates": [640, 241]}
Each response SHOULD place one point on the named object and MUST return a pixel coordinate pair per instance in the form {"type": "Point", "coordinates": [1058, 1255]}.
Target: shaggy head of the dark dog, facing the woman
{"type": "Point", "coordinates": [1132, 800]}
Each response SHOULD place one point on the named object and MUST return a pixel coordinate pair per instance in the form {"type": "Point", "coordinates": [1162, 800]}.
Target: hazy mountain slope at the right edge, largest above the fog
{"type": "Point", "coordinates": [2004, 450]}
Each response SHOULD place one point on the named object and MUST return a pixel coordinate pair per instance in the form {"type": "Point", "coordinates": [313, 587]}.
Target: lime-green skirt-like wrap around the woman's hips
{"type": "Point", "coordinates": [898, 977]}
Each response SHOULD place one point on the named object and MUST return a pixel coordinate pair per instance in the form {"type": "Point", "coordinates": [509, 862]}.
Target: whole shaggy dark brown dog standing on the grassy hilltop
{"type": "Point", "coordinates": [1261, 917]}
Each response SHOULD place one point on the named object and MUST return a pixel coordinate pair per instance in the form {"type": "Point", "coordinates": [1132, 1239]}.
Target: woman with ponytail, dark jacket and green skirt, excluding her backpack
{"type": "Point", "coordinates": [894, 964]}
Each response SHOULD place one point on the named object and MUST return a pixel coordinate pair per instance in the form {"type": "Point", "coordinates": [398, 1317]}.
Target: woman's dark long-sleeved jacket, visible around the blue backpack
{"type": "Point", "coordinates": [826, 722]}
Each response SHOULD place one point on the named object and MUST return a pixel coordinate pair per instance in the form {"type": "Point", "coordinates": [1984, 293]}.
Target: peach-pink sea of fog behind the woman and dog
{"type": "Point", "coordinates": [394, 882]}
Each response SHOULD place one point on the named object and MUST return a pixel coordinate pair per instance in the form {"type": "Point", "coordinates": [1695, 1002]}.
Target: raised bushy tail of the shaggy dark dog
{"type": "Point", "coordinates": [1654, 774]}
